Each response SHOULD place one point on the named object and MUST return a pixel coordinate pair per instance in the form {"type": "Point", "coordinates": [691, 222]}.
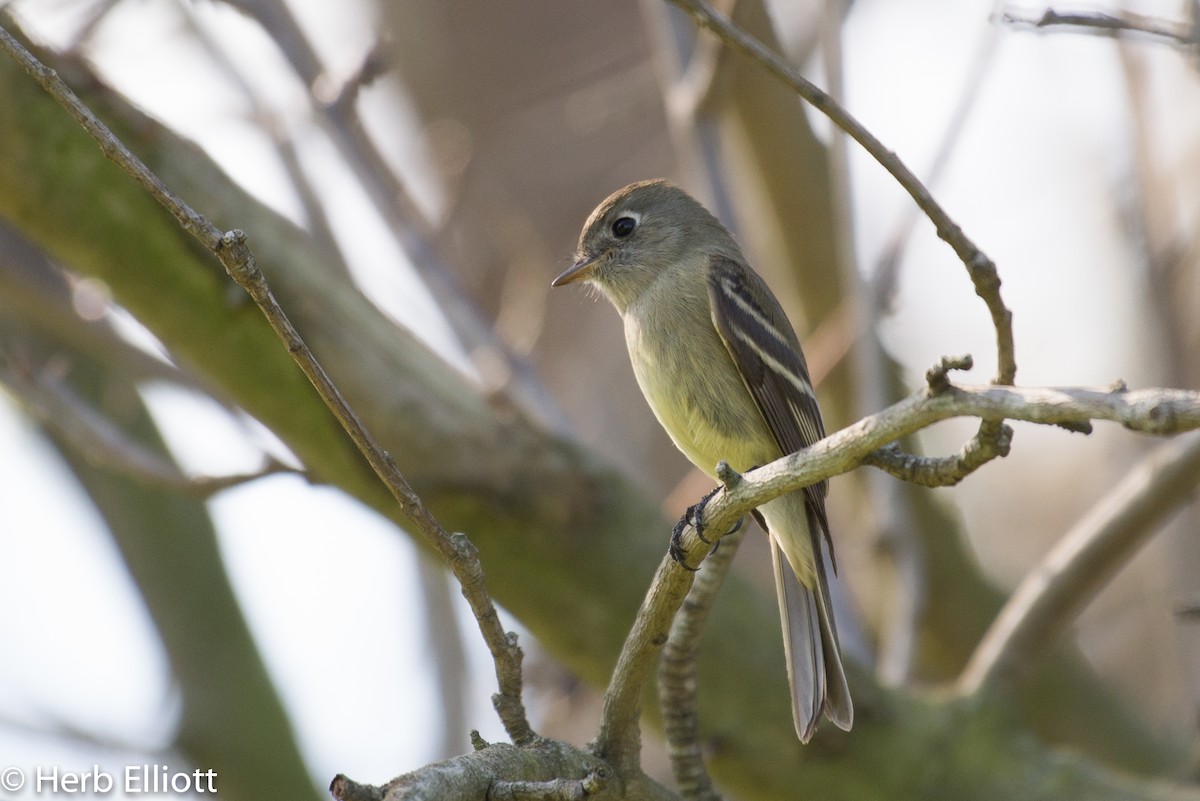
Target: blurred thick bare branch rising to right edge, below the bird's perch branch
{"type": "Point", "coordinates": [1083, 563]}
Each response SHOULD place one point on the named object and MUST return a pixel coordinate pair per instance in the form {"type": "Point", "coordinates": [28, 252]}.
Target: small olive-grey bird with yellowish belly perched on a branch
{"type": "Point", "coordinates": [723, 371]}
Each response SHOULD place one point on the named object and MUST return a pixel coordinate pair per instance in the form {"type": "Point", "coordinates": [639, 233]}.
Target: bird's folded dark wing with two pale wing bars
{"type": "Point", "coordinates": [767, 354]}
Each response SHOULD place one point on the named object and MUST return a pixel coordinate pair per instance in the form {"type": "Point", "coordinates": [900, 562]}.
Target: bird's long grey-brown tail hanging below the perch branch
{"type": "Point", "coordinates": [811, 636]}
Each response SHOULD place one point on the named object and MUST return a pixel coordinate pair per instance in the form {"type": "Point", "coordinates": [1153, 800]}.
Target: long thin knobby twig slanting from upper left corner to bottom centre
{"type": "Point", "coordinates": [237, 258]}
